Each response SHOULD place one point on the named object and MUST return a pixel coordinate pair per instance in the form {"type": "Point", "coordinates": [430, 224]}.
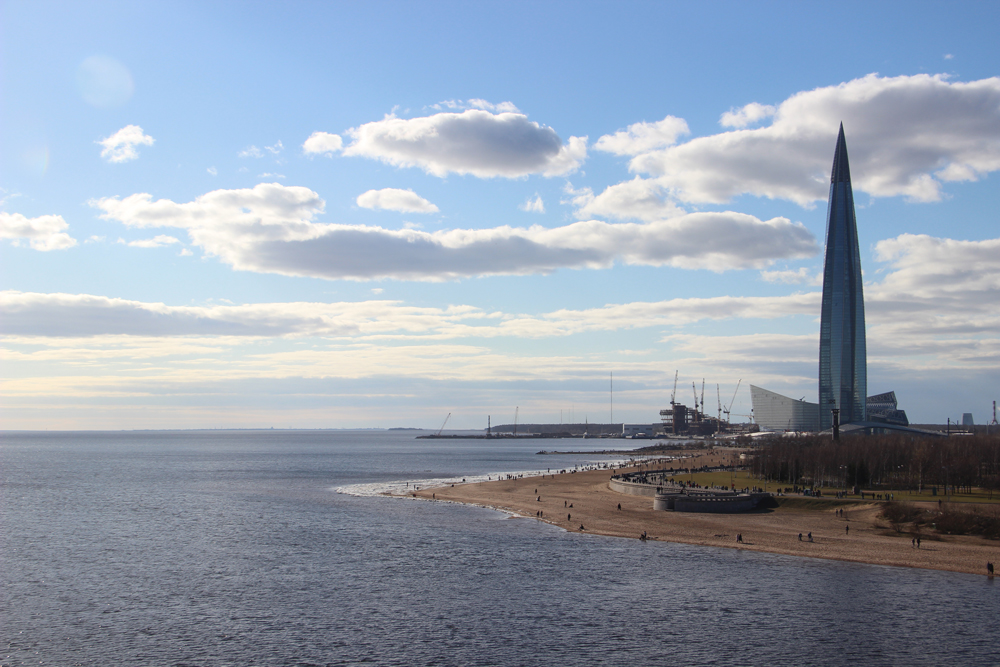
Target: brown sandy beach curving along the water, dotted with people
{"type": "Point", "coordinates": [572, 500]}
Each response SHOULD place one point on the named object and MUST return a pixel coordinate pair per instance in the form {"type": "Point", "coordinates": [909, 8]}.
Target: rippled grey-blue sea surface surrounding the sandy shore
{"type": "Point", "coordinates": [234, 548]}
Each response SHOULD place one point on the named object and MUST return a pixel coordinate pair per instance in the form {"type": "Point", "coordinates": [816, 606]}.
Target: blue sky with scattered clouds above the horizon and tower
{"type": "Point", "coordinates": [341, 215]}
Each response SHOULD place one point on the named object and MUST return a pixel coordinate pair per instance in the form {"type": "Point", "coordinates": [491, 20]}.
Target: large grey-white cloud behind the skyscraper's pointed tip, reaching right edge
{"type": "Point", "coordinates": [907, 135]}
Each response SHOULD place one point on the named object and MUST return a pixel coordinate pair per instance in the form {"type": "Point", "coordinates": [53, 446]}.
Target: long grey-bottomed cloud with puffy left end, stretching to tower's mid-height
{"type": "Point", "coordinates": [271, 228]}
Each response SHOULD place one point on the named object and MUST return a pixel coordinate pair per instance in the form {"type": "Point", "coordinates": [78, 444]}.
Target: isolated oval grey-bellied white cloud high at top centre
{"type": "Point", "coordinates": [475, 142]}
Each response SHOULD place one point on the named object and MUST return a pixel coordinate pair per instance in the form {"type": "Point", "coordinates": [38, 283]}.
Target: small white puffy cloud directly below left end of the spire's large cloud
{"type": "Point", "coordinates": [638, 199]}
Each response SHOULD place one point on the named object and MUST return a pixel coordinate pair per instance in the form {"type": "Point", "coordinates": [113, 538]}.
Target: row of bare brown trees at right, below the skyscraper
{"type": "Point", "coordinates": [887, 462]}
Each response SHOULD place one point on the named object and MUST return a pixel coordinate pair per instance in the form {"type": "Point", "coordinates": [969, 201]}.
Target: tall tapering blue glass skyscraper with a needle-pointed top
{"type": "Point", "coordinates": [843, 365]}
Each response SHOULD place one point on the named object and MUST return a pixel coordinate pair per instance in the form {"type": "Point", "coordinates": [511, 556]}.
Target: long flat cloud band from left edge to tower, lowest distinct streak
{"type": "Point", "coordinates": [82, 315]}
